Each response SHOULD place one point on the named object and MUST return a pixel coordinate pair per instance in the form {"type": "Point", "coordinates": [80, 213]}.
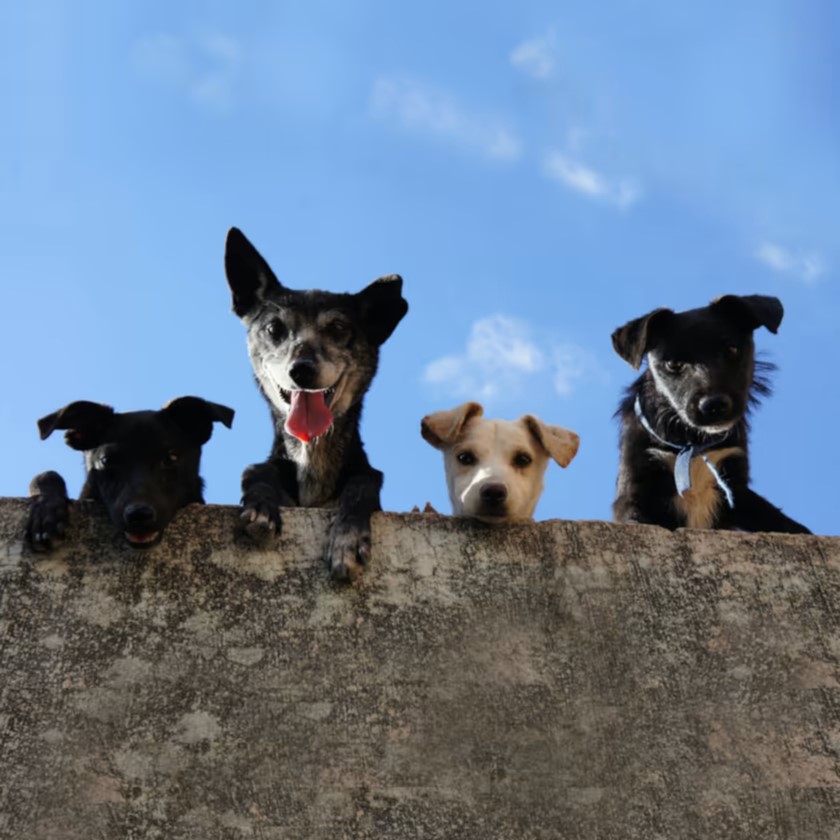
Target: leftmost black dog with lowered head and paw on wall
{"type": "Point", "coordinates": [141, 465]}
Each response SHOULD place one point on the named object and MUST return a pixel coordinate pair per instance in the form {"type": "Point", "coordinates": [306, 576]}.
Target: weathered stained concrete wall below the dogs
{"type": "Point", "coordinates": [561, 680]}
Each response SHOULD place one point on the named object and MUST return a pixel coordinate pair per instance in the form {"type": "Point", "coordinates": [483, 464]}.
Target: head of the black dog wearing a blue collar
{"type": "Point", "coordinates": [702, 360]}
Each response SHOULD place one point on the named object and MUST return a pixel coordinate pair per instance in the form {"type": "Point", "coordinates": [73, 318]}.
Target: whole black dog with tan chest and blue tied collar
{"type": "Point", "coordinates": [684, 427]}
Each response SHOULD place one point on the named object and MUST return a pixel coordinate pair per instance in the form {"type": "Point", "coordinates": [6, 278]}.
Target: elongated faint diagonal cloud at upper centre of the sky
{"type": "Point", "coordinates": [427, 110]}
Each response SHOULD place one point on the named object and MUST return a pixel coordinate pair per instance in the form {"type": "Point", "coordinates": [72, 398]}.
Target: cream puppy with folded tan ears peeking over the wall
{"type": "Point", "coordinates": [495, 468]}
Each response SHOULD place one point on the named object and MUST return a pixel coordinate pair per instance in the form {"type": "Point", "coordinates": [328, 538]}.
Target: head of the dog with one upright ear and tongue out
{"type": "Point", "coordinates": [314, 353]}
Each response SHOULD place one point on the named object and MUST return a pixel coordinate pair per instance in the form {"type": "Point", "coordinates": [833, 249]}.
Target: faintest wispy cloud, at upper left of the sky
{"type": "Point", "coordinates": [204, 67]}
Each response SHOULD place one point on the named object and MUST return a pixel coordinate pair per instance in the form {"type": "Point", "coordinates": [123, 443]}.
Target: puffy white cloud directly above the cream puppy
{"type": "Point", "coordinates": [502, 358]}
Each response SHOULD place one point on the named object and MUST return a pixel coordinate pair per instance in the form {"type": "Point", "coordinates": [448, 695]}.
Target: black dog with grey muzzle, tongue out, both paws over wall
{"type": "Point", "coordinates": [314, 356]}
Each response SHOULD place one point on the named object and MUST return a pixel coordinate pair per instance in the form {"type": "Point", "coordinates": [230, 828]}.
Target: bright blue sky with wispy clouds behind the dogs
{"type": "Point", "coordinates": [539, 173]}
